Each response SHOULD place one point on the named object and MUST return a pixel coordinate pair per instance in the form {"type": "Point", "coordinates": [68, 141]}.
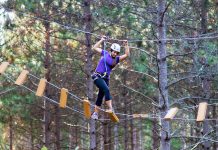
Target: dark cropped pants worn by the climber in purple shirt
{"type": "Point", "coordinates": [103, 86]}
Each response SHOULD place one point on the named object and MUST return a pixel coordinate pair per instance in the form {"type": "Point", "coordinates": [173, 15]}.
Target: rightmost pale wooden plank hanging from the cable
{"type": "Point", "coordinates": [202, 111]}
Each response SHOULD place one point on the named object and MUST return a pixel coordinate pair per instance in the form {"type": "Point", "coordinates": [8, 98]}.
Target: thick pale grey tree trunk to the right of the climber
{"type": "Point", "coordinates": [162, 66]}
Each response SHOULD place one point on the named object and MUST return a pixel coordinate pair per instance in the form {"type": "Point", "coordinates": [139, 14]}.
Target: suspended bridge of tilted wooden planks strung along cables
{"type": "Point", "coordinates": [201, 116]}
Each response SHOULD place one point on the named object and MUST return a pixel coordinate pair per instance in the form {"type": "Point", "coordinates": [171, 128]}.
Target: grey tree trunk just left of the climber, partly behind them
{"type": "Point", "coordinates": [88, 67]}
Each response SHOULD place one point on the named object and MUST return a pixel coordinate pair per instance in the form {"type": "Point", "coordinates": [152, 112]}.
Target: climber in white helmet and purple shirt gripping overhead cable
{"type": "Point", "coordinates": [102, 72]}
